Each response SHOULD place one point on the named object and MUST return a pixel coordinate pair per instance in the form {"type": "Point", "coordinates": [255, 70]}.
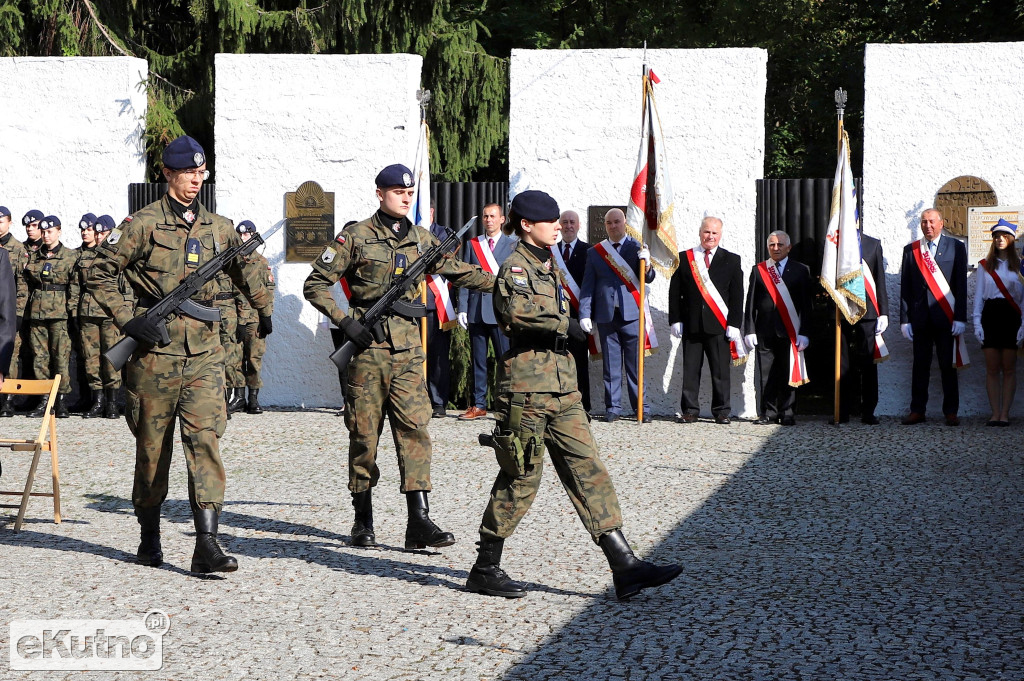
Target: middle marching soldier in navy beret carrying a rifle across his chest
{"type": "Point", "coordinates": [388, 376]}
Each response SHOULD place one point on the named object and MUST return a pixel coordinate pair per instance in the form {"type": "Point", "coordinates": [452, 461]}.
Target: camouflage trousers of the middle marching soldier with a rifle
{"type": "Point", "coordinates": [382, 381]}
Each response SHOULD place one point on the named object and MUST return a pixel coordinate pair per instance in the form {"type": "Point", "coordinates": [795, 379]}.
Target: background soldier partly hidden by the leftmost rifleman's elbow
{"type": "Point", "coordinates": [97, 327]}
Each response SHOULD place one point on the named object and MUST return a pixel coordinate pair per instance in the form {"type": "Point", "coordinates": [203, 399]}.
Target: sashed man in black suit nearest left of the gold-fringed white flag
{"type": "Point", "coordinates": [766, 330]}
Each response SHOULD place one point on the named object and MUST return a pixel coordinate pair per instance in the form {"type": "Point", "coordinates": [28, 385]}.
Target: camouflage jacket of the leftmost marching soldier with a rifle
{"type": "Point", "coordinates": [156, 250]}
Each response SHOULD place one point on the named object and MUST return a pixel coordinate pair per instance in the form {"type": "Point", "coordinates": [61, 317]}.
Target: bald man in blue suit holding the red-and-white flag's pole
{"type": "Point", "coordinates": [606, 301]}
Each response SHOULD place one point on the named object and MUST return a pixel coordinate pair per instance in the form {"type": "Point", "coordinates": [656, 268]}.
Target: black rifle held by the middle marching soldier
{"type": "Point", "coordinates": [392, 303]}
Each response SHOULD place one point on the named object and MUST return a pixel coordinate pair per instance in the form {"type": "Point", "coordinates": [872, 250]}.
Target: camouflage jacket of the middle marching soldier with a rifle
{"type": "Point", "coordinates": [367, 254]}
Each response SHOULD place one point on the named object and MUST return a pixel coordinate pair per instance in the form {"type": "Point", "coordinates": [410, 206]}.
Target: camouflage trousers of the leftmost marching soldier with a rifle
{"type": "Point", "coordinates": [160, 389]}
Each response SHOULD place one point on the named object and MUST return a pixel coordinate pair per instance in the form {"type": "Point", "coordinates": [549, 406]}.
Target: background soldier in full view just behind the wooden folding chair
{"type": "Point", "coordinates": [53, 300]}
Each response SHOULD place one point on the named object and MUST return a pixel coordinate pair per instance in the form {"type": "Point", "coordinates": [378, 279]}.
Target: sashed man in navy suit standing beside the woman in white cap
{"type": "Point", "coordinates": [924, 320]}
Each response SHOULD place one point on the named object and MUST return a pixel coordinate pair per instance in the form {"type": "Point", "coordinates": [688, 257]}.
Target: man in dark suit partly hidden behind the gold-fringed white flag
{"type": "Point", "coordinates": [859, 372]}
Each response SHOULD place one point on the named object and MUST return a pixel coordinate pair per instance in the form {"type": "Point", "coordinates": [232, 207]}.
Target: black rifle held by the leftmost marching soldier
{"type": "Point", "coordinates": [180, 301]}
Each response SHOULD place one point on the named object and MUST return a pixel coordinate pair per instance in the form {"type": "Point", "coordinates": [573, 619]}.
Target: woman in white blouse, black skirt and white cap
{"type": "Point", "coordinates": [999, 297]}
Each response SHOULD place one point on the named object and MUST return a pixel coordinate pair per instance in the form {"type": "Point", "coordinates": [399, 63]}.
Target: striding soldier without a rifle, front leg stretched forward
{"type": "Point", "coordinates": [540, 409]}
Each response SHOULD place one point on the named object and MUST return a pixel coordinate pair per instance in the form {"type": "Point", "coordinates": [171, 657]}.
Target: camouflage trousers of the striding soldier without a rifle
{"type": "Point", "coordinates": [571, 445]}
